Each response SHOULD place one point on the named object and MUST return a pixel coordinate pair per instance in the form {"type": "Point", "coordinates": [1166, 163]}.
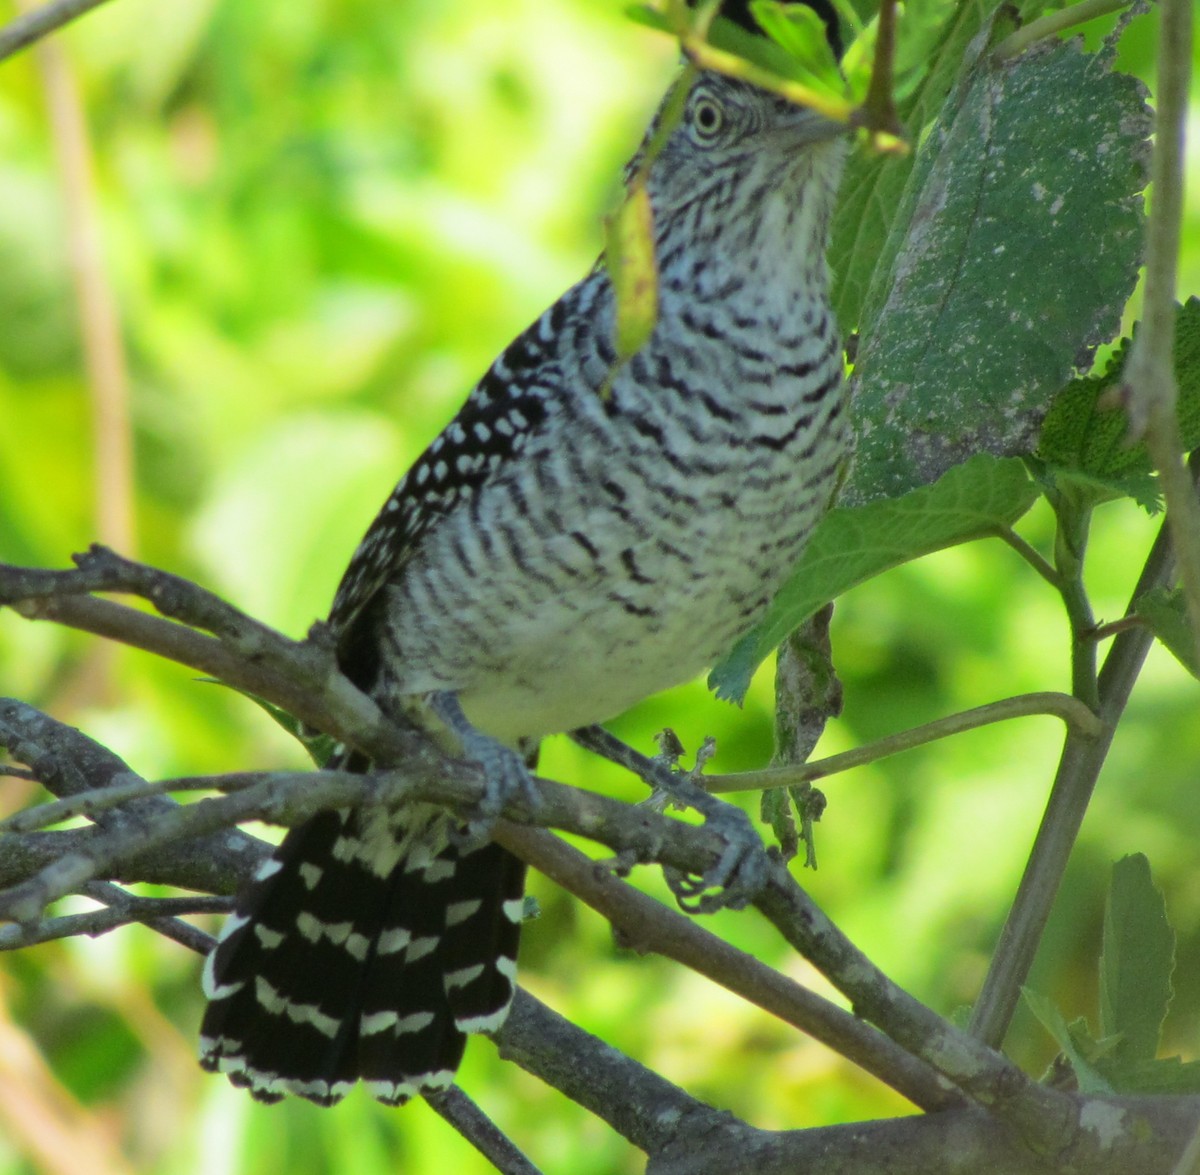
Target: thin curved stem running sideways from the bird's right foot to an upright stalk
{"type": "Point", "coordinates": [1072, 712]}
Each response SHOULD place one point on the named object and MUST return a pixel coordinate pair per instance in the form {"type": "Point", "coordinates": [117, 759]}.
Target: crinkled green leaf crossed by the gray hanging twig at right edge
{"type": "Point", "coordinates": [1085, 430]}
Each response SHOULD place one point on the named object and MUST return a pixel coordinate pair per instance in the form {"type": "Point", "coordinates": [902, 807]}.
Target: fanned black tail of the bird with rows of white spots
{"type": "Point", "coordinates": [364, 951]}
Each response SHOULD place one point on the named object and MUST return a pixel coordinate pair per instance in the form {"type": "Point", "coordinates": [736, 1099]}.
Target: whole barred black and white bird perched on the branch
{"type": "Point", "coordinates": [583, 535]}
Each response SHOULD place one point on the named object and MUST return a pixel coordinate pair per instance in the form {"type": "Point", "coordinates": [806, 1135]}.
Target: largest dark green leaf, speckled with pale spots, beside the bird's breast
{"type": "Point", "coordinates": [988, 292]}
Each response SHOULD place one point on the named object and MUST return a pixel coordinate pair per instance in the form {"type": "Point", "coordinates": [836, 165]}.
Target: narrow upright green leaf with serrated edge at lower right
{"type": "Point", "coordinates": [1136, 963]}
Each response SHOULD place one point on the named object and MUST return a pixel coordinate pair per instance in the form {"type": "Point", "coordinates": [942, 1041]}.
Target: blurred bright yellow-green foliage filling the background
{"type": "Point", "coordinates": [321, 223]}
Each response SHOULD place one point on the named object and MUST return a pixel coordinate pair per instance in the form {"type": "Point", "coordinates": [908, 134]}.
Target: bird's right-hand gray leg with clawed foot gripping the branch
{"type": "Point", "coordinates": [741, 872]}
